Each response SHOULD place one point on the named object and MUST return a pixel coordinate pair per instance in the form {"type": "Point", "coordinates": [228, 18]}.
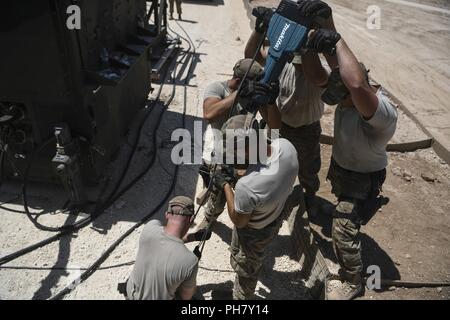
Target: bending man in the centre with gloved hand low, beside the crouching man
{"type": "Point", "coordinates": [257, 203]}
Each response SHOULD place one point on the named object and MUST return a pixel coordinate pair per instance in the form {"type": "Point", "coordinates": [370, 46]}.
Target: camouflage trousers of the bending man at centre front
{"type": "Point", "coordinates": [247, 253]}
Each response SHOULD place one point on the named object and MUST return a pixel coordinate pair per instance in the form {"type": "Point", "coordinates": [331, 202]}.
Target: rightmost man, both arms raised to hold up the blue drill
{"type": "Point", "coordinates": [365, 121]}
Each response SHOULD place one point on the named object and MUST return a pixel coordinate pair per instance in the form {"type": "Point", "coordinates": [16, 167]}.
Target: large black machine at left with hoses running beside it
{"type": "Point", "coordinates": [68, 95]}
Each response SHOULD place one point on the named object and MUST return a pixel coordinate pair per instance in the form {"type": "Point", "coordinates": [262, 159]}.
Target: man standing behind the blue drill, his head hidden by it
{"type": "Point", "coordinates": [301, 84]}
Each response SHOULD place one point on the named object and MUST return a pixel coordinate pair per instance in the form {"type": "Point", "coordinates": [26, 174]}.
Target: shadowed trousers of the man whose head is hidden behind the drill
{"type": "Point", "coordinates": [306, 141]}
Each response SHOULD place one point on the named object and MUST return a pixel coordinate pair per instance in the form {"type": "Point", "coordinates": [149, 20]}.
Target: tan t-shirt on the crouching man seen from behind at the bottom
{"type": "Point", "coordinates": [163, 264]}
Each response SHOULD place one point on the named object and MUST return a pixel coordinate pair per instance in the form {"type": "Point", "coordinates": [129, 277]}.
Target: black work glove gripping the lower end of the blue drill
{"type": "Point", "coordinates": [259, 94]}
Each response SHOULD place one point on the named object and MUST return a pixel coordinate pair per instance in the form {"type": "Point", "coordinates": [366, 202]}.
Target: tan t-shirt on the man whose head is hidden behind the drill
{"type": "Point", "coordinates": [300, 100]}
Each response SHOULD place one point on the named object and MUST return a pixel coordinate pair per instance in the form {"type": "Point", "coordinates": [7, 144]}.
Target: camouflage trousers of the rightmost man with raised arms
{"type": "Point", "coordinates": [356, 194]}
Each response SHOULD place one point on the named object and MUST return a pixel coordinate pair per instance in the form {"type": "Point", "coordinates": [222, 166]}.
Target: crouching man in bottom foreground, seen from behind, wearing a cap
{"type": "Point", "coordinates": [165, 268]}
